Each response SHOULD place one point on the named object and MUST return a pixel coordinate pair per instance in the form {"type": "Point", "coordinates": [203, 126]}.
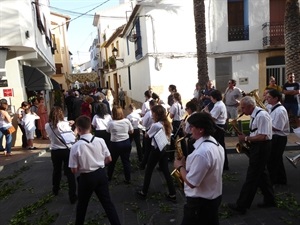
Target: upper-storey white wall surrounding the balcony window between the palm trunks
{"type": "Point", "coordinates": [217, 27]}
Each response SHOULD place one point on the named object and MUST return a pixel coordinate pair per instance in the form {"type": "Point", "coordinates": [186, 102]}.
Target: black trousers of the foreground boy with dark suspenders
{"type": "Point", "coordinates": [97, 182]}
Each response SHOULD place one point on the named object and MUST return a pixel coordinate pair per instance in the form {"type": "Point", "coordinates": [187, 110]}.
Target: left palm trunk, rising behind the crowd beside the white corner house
{"type": "Point", "coordinates": [199, 14]}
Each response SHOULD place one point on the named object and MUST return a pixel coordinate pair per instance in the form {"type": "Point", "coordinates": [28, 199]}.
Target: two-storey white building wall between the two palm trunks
{"type": "Point", "coordinates": [244, 53]}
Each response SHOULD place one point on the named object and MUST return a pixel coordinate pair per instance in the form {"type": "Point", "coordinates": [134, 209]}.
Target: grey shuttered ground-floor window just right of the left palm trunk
{"type": "Point", "coordinates": [223, 67]}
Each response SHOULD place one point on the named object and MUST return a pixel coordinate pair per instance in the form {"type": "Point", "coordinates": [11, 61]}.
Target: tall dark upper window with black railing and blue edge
{"type": "Point", "coordinates": [238, 24]}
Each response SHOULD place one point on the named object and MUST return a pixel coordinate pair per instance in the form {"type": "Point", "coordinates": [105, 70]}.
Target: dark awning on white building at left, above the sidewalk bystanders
{"type": "Point", "coordinates": [35, 79]}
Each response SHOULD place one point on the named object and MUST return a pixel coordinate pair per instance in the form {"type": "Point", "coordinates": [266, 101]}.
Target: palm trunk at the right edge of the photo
{"type": "Point", "coordinates": [292, 37]}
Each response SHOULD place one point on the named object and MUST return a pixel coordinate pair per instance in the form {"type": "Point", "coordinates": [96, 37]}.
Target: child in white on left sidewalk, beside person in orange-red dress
{"type": "Point", "coordinates": [29, 125]}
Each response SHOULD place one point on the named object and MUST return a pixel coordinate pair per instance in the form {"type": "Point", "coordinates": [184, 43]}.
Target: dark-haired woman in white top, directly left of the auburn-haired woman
{"type": "Point", "coordinates": [100, 122]}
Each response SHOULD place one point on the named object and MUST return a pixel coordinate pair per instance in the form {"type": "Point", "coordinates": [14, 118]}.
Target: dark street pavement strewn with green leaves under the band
{"type": "Point", "coordinates": [26, 197]}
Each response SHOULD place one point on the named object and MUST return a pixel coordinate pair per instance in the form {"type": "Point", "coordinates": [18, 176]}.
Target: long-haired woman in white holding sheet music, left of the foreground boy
{"type": "Point", "coordinates": [60, 151]}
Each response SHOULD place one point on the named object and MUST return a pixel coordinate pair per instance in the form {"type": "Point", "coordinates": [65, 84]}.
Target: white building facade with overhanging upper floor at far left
{"type": "Point", "coordinates": [18, 18]}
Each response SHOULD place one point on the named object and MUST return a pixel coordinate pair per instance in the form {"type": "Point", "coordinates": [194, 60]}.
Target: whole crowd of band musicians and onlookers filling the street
{"type": "Point", "coordinates": [104, 133]}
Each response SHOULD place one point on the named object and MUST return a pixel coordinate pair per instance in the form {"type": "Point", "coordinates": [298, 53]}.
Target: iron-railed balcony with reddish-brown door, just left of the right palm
{"type": "Point", "coordinates": [273, 35]}
